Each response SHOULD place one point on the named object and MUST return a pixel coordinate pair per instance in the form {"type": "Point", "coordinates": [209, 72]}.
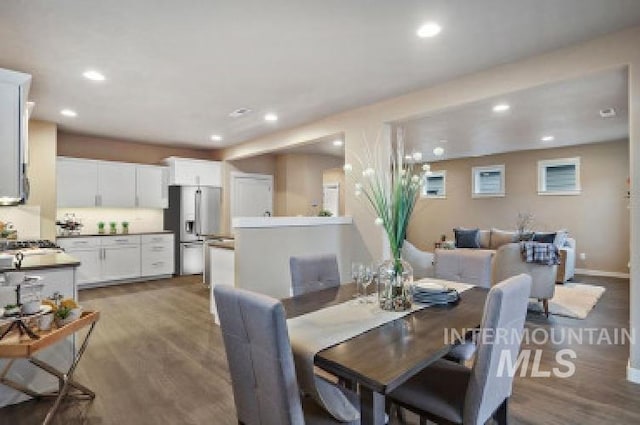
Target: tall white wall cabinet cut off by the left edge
{"type": "Point", "coordinates": [14, 120]}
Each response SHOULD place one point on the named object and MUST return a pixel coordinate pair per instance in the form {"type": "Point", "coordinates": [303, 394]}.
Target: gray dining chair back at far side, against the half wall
{"type": "Point", "coordinates": [313, 272]}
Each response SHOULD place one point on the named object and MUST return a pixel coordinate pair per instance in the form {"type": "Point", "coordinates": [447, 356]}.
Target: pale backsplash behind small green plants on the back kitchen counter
{"type": "Point", "coordinates": [140, 219]}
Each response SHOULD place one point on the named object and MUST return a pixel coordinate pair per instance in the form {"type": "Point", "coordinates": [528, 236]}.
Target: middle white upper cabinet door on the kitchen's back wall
{"type": "Point", "coordinates": [116, 184]}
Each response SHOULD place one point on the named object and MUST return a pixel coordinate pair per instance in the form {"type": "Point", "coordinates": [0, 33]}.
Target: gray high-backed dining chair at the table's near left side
{"type": "Point", "coordinates": [263, 375]}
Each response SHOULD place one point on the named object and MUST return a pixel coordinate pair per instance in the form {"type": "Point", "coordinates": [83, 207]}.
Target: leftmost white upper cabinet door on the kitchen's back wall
{"type": "Point", "coordinates": [77, 182]}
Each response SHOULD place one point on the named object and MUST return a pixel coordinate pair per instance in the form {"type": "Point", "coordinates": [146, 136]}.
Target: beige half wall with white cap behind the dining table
{"type": "Point", "coordinates": [263, 246]}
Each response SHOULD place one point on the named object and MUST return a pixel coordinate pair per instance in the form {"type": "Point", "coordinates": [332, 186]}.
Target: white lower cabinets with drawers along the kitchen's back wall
{"type": "Point", "coordinates": [111, 259]}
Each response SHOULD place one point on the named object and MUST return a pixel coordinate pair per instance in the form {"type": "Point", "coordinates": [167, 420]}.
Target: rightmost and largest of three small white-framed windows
{"type": "Point", "coordinates": [559, 177]}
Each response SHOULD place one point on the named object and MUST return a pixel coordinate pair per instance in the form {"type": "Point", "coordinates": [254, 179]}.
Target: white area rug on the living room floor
{"type": "Point", "coordinates": [574, 300]}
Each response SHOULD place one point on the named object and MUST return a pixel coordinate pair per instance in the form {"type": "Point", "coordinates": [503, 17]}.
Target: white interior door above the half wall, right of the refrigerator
{"type": "Point", "coordinates": [251, 195]}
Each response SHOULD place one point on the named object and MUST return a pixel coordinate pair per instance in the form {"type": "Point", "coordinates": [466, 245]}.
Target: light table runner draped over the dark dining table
{"type": "Point", "coordinates": [315, 331]}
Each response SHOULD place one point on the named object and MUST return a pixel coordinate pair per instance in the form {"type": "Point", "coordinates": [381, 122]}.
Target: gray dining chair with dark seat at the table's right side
{"type": "Point", "coordinates": [449, 393]}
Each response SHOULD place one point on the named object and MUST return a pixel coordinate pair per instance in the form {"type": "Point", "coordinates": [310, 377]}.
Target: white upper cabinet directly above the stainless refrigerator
{"type": "Point", "coordinates": [194, 172]}
